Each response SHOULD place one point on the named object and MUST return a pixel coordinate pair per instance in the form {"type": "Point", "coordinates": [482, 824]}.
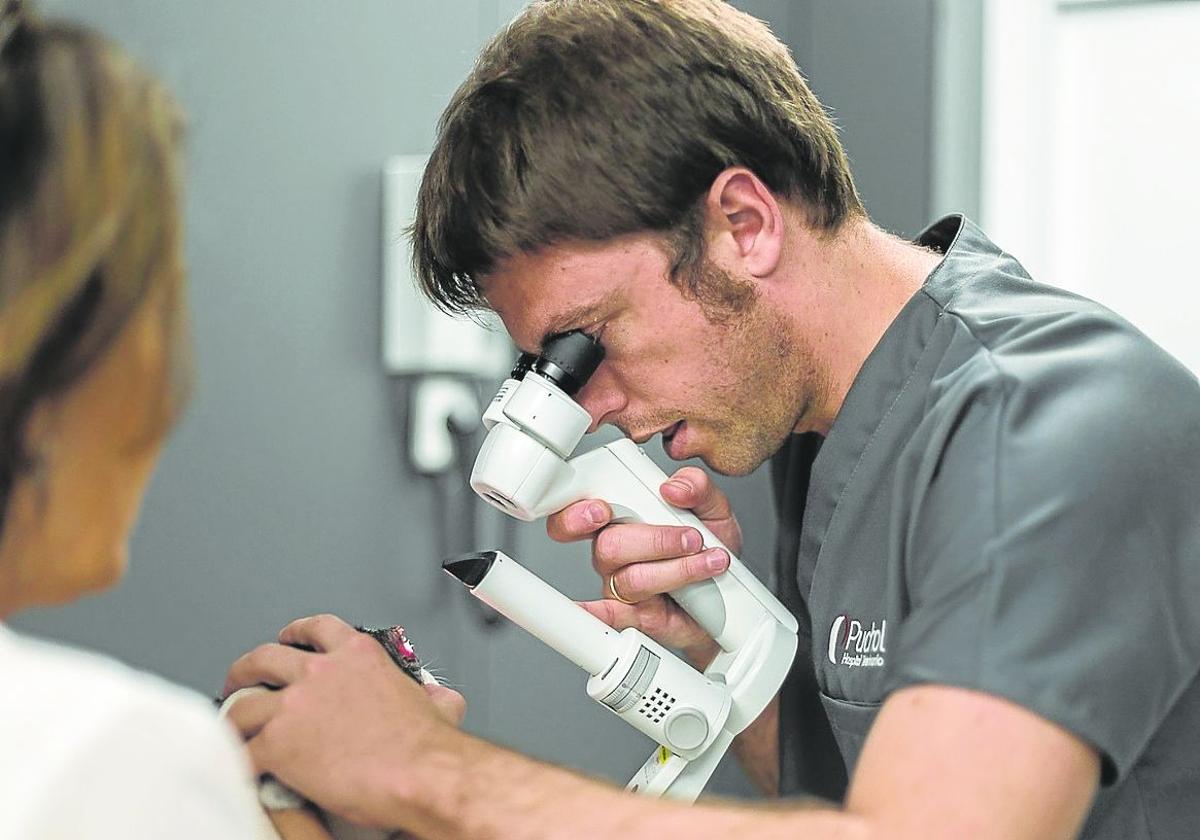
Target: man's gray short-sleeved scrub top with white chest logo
{"type": "Point", "coordinates": [1010, 502]}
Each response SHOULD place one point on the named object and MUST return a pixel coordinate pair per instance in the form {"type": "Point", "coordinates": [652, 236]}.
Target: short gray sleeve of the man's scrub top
{"type": "Point", "coordinates": [1054, 550]}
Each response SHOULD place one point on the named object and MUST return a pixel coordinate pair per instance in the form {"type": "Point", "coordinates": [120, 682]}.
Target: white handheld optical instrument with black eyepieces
{"type": "Point", "coordinates": [526, 470]}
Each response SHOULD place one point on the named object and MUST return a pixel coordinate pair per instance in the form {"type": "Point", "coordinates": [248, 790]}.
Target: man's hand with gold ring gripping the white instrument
{"type": "Point", "coordinates": [643, 562]}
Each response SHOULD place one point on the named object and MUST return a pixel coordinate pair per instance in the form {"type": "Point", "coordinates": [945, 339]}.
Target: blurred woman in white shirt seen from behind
{"type": "Point", "coordinates": [93, 373]}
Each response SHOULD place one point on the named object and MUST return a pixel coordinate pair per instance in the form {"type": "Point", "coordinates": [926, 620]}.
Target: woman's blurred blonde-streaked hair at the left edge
{"type": "Point", "coordinates": [89, 219]}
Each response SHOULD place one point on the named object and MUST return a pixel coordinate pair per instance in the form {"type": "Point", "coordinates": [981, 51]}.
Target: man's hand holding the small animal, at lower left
{"type": "Point", "coordinates": [346, 724]}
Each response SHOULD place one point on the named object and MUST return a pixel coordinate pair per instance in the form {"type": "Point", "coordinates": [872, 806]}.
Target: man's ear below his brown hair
{"type": "Point", "coordinates": [743, 208]}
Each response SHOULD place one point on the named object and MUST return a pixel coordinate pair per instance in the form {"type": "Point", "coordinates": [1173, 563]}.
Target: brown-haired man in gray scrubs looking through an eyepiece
{"type": "Point", "coordinates": [988, 488]}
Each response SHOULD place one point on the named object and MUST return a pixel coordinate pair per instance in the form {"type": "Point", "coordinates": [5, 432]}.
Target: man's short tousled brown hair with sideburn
{"type": "Point", "coordinates": [591, 119]}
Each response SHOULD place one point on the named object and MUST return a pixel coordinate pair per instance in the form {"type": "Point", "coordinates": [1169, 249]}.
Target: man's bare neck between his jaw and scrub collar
{"type": "Point", "coordinates": [854, 287]}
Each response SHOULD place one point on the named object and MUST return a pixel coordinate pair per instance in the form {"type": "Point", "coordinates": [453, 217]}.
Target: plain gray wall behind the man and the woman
{"type": "Point", "coordinates": [284, 491]}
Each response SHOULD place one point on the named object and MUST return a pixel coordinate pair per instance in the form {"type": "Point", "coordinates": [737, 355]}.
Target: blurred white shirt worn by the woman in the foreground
{"type": "Point", "coordinates": [92, 749]}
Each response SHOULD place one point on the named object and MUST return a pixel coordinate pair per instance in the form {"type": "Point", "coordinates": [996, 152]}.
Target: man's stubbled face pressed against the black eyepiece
{"type": "Point", "coordinates": [728, 392]}
